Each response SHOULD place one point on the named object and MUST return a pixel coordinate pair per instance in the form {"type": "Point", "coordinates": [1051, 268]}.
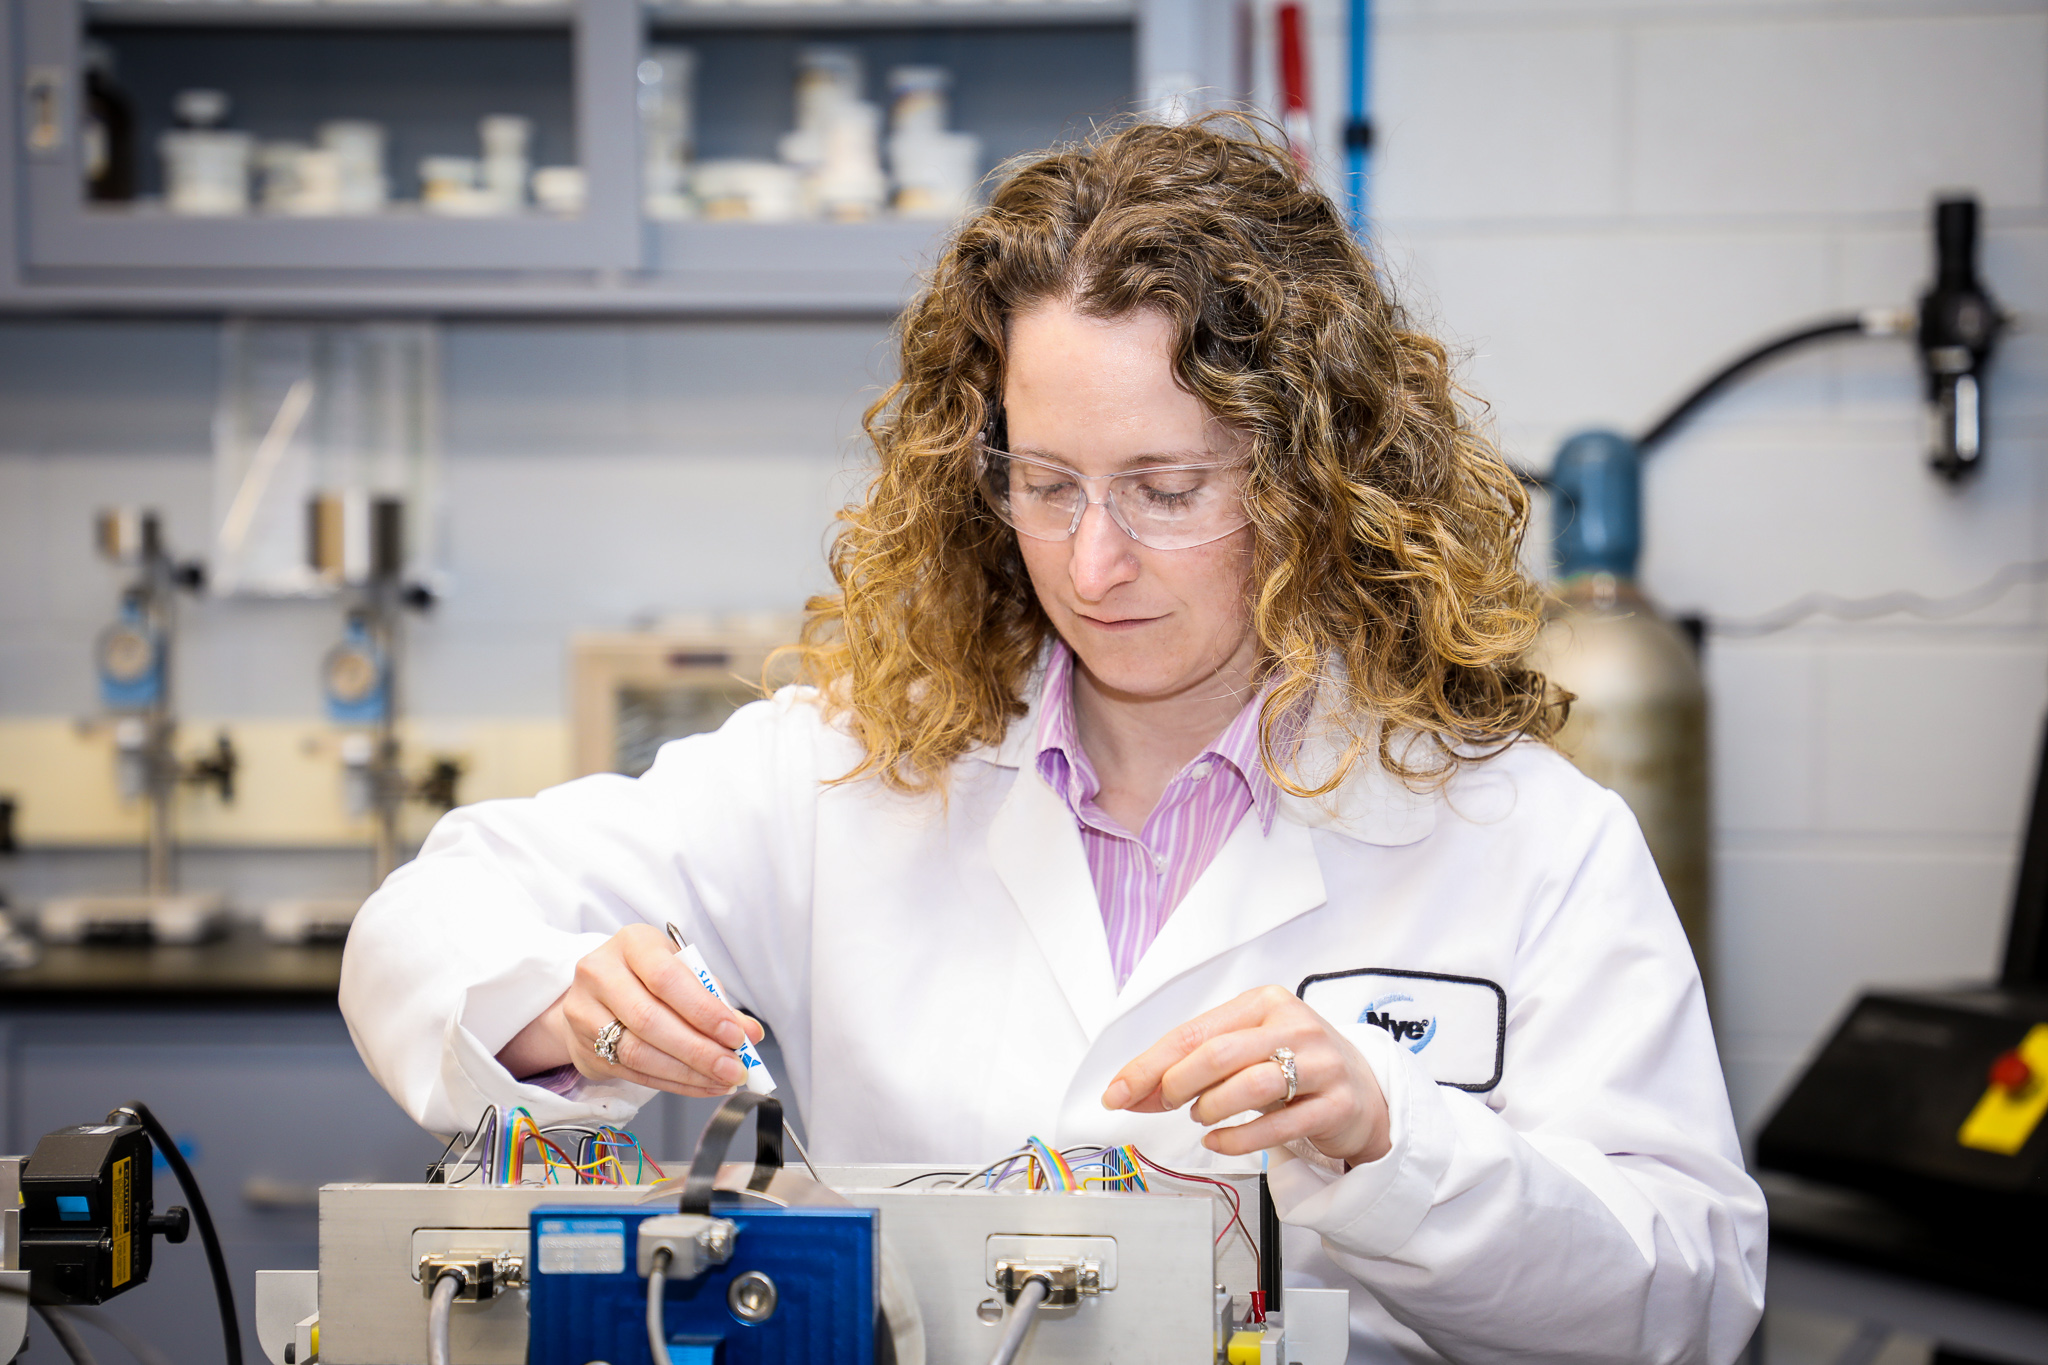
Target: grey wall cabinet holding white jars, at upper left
{"type": "Point", "coordinates": [1027, 73]}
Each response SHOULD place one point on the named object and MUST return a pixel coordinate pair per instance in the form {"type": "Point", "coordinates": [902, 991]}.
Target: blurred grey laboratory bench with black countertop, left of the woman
{"type": "Point", "coordinates": [243, 1053]}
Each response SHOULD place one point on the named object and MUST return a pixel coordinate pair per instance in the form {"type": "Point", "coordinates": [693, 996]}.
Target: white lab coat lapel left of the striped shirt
{"type": "Point", "coordinates": [1037, 854]}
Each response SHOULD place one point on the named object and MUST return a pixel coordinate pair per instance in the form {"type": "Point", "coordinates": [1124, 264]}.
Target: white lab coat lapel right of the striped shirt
{"type": "Point", "coordinates": [1258, 881]}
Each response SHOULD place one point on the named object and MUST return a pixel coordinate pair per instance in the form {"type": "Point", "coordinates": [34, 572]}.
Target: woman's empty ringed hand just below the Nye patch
{"type": "Point", "coordinates": [1224, 1063]}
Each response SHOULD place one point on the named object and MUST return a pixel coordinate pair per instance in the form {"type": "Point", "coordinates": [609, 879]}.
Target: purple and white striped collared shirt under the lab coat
{"type": "Point", "coordinates": [1140, 879]}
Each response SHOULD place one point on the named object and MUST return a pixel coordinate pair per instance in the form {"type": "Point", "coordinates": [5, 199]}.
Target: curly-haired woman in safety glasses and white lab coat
{"type": "Point", "coordinates": [1166, 760]}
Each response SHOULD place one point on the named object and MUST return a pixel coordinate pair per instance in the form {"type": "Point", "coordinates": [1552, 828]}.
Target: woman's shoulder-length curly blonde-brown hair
{"type": "Point", "coordinates": [1385, 578]}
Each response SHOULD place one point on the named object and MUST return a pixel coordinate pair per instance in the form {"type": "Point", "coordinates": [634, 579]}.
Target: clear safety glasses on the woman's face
{"type": "Point", "coordinates": [1164, 509]}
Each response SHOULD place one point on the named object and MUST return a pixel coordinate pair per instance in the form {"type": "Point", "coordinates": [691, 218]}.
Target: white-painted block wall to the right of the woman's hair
{"type": "Point", "coordinates": [1603, 202]}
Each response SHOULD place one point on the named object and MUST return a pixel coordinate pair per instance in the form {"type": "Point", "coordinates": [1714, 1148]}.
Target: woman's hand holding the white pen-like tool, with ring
{"type": "Point", "coordinates": [679, 1037]}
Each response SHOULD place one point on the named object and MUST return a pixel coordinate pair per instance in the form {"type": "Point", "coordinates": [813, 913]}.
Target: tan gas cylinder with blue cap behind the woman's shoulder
{"type": "Point", "coordinates": [1639, 721]}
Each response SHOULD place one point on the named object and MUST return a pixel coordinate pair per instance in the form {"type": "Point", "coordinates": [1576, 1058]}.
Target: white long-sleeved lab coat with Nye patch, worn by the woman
{"type": "Point", "coordinates": [941, 987]}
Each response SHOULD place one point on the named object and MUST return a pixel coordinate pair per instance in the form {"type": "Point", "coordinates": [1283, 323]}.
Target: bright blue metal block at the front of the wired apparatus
{"type": "Point", "coordinates": [591, 1305]}
